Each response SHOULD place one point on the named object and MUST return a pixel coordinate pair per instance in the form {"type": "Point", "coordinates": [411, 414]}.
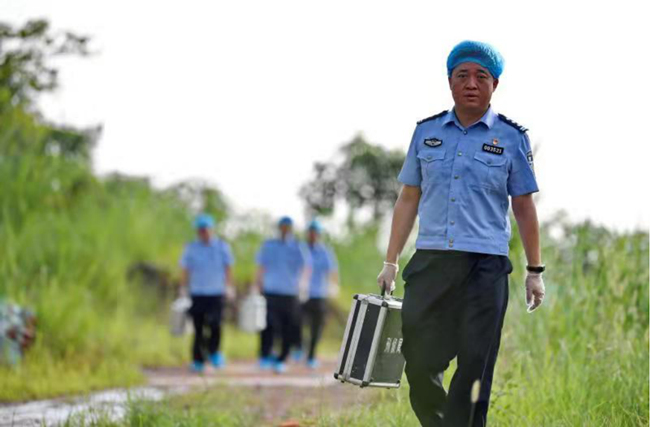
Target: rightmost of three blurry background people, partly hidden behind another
{"type": "Point", "coordinates": [323, 283]}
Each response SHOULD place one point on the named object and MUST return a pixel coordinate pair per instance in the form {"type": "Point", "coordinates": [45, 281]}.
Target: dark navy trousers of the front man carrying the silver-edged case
{"type": "Point", "coordinates": [454, 306]}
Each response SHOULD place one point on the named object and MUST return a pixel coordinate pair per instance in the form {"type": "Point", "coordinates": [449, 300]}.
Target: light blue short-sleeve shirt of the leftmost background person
{"type": "Point", "coordinates": [207, 264]}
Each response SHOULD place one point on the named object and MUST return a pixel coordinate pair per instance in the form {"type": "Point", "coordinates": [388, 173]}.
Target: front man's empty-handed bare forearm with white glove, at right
{"type": "Point", "coordinates": [525, 213]}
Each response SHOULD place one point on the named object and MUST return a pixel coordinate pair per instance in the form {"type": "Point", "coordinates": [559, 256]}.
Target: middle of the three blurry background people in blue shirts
{"type": "Point", "coordinates": [283, 268]}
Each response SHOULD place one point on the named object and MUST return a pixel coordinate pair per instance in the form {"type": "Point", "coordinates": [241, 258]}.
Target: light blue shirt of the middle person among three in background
{"type": "Point", "coordinates": [283, 262]}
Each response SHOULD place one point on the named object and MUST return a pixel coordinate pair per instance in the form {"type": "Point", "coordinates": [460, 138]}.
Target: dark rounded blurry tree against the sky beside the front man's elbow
{"type": "Point", "coordinates": [364, 178]}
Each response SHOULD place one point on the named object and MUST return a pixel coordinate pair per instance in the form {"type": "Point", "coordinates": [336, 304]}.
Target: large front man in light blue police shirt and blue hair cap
{"type": "Point", "coordinates": [464, 168]}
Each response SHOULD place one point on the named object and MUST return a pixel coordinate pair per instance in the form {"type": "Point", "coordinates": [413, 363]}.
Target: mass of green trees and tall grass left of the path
{"type": "Point", "coordinates": [68, 238]}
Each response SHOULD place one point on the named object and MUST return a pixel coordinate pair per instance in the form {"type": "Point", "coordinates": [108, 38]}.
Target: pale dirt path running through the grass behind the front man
{"type": "Point", "coordinates": [275, 398]}
